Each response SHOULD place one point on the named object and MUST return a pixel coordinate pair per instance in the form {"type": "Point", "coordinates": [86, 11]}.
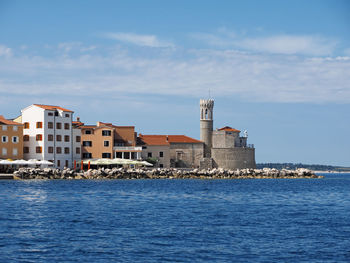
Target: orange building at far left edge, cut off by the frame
{"type": "Point", "coordinates": [11, 134]}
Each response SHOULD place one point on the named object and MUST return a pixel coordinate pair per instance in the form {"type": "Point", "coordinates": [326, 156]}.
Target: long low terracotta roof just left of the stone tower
{"type": "Point", "coordinates": [166, 139]}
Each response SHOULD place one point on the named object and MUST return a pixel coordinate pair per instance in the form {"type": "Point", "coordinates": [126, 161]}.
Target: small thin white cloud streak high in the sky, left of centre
{"type": "Point", "coordinates": [140, 40]}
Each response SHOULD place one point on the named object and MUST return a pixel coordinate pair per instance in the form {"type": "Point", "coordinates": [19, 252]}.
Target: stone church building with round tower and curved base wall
{"type": "Point", "coordinates": [223, 148]}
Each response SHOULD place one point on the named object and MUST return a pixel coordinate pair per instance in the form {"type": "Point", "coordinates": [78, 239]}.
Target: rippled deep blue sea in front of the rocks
{"type": "Point", "coordinates": [247, 220]}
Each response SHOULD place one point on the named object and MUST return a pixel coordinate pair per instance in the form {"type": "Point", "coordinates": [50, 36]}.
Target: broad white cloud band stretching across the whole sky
{"type": "Point", "coordinates": [229, 73]}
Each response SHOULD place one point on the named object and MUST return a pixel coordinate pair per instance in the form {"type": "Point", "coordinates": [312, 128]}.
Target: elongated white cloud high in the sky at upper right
{"type": "Point", "coordinates": [278, 44]}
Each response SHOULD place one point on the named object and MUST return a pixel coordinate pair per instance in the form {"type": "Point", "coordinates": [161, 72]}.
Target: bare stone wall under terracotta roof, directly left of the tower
{"type": "Point", "coordinates": [186, 155]}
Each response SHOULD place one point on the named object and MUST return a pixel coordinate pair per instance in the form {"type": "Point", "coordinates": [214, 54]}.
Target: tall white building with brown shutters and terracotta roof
{"type": "Point", "coordinates": [48, 135]}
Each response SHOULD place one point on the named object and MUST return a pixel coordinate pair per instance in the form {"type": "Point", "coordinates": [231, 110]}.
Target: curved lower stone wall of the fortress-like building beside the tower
{"type": "Point", "coordinates": [234, 158]}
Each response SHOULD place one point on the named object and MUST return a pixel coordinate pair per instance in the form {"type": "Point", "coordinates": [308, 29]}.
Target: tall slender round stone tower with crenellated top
{"type": "Point", "coordinates": [206, 125]}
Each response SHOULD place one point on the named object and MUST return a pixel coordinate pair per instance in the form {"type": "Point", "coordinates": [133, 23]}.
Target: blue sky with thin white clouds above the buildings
{"type": "Point", "coordinates": [280, 69]}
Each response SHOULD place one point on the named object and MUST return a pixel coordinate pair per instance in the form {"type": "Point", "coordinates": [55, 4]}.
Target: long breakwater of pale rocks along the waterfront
{"type": "Point", "coordinates": [172, 173]}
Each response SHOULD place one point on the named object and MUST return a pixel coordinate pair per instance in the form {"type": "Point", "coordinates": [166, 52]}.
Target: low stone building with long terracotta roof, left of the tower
{"type": "Point", "coordinates": [172, 150]}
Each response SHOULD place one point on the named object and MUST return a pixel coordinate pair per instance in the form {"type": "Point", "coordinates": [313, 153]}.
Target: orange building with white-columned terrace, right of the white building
{"type": "Point", "coordinates": [105, 140]}
